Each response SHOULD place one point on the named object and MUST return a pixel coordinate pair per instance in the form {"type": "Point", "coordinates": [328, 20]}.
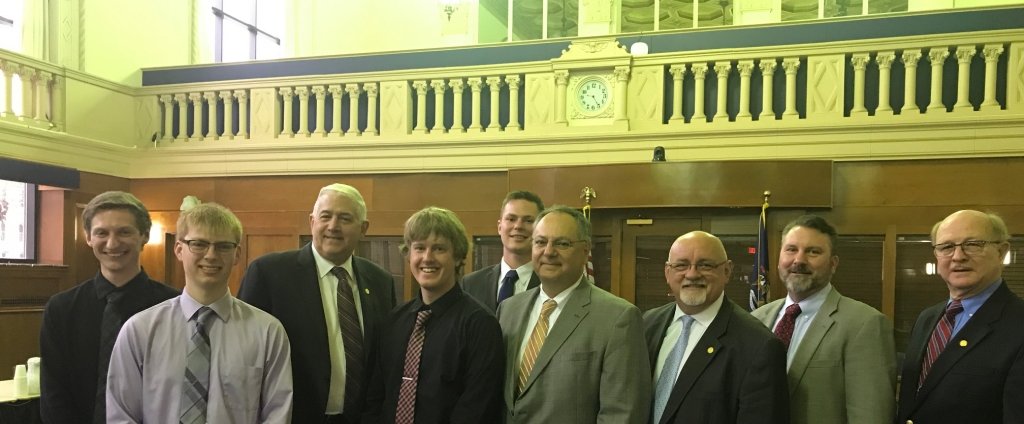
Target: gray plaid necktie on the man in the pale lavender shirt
{"type": "Point", "coordinates": [196, 392]}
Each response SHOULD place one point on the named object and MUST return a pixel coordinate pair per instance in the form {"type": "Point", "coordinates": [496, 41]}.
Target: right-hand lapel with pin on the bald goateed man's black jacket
{"type": "Point", "coordinates": [701, 357]}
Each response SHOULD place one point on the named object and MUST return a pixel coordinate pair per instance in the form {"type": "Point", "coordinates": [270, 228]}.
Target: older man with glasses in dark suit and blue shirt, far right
{"type": "Point", "coordinates": [965, 363]}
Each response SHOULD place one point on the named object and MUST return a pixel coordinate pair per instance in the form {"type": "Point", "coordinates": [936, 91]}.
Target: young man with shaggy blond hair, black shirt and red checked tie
{"type": "Point", "coordinates": [443, 356]}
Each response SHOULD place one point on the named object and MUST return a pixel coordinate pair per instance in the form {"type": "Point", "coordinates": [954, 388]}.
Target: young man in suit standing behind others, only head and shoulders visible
{"type": "Point", "coordinates": [516, 273]}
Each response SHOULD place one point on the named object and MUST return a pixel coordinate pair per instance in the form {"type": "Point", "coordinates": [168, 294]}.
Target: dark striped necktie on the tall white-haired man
{"type": "Point", "coordinates": [352, 336]}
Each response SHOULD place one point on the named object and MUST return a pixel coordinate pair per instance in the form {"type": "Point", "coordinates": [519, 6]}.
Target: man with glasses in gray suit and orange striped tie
{"type": "Point", "coordinates": [592, 366]}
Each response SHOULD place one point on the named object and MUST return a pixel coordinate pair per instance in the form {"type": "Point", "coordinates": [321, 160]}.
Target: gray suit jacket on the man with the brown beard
{"type": "Point", "coordinates": [844, 370]}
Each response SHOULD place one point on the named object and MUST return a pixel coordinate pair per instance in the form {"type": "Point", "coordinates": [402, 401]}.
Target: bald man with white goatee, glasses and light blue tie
{"type": "Point", "coordinates": [713, 362]}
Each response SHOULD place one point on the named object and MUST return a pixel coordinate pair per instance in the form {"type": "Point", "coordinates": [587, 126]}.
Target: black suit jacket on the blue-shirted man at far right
{"type": "Point", "coordinates": [979, 377]}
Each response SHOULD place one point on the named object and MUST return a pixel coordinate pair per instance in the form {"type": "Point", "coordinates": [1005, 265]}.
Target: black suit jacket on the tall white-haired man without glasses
{"type": "Point", "coordinates": [286, 285]}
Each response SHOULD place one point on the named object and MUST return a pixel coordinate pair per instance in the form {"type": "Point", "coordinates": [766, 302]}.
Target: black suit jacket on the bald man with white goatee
{"type": "Point", "coordinates": [736, 374]}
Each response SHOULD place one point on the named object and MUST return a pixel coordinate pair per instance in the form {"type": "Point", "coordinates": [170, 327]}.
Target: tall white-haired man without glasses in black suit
{"type": "Point", "coordinates": [332, 305]}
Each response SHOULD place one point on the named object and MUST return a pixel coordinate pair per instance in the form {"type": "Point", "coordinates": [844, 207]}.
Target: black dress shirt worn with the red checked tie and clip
{"type": "Point", "coordinates": [462, 367]}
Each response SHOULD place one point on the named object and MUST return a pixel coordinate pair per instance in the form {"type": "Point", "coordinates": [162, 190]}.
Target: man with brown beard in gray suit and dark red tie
{"type": "Point", "coordinates": [842, 364]}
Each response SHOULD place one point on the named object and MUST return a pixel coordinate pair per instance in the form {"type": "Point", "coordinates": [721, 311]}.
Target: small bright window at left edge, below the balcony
{"type": "Point", "coordinates": [18, 222]}
